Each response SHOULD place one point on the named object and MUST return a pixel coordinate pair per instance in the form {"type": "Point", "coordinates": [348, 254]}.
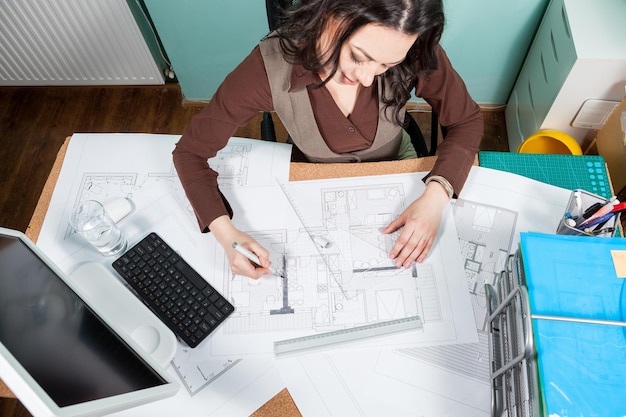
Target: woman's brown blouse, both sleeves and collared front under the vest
{"type": "Point", "coordinates": [246, 91]}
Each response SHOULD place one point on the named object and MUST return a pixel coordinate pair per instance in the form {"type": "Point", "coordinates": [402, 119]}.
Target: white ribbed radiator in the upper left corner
{"type": "Point", "coordinates": [73, 42]}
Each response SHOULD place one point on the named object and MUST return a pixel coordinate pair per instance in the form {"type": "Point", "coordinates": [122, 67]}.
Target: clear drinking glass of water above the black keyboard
{"type": "Point", "coordinates": [91, 221]}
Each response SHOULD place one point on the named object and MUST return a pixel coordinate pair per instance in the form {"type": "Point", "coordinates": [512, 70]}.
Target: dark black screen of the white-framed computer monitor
{"type": "Point", "coordinates": [54, 335]}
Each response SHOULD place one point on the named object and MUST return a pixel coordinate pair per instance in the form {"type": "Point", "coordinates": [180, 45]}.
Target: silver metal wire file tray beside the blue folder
{"type": "Point", "coordinates": [513, 365]}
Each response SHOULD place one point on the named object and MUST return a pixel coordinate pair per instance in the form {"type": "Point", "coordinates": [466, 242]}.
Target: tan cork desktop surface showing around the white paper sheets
{"type": "Point", "coordinates": [282, 404]}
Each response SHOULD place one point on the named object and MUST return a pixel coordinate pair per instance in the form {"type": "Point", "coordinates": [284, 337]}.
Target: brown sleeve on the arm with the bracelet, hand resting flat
{"type": "Point", "coordinates": [446, 92]}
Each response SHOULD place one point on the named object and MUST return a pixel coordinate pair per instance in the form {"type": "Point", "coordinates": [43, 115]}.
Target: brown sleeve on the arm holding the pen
{"type": "Point", "coordinates": [242, 94]}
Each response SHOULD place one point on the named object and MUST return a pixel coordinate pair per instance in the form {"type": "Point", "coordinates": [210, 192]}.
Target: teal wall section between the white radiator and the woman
{"type": "Point", "coordinates": [205, 40]}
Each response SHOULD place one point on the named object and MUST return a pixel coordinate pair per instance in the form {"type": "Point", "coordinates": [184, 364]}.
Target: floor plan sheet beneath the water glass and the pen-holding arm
{"type": "Point", "coordinates": [139, 167]}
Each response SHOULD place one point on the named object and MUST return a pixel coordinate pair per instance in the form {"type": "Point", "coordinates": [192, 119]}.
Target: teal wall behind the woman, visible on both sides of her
{"type": "Point", "coordinates": [486, 40]}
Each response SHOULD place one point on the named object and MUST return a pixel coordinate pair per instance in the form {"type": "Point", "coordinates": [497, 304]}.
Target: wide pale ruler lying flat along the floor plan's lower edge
{"type": "Point", "coordinates": [304, 343]}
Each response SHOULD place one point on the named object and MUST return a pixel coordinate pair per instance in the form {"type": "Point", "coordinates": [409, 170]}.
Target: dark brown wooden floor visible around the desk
{"type": "Point", "coordinates": [34, 122]}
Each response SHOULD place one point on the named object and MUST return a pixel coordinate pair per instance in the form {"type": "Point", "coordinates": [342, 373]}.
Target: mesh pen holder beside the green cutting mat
{"type": "Point", "coordinates": [580, 207]}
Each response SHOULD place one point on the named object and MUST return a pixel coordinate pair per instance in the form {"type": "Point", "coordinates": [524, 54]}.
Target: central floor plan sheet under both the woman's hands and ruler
{"type": "Point", "coordinates": [337, 273]}
